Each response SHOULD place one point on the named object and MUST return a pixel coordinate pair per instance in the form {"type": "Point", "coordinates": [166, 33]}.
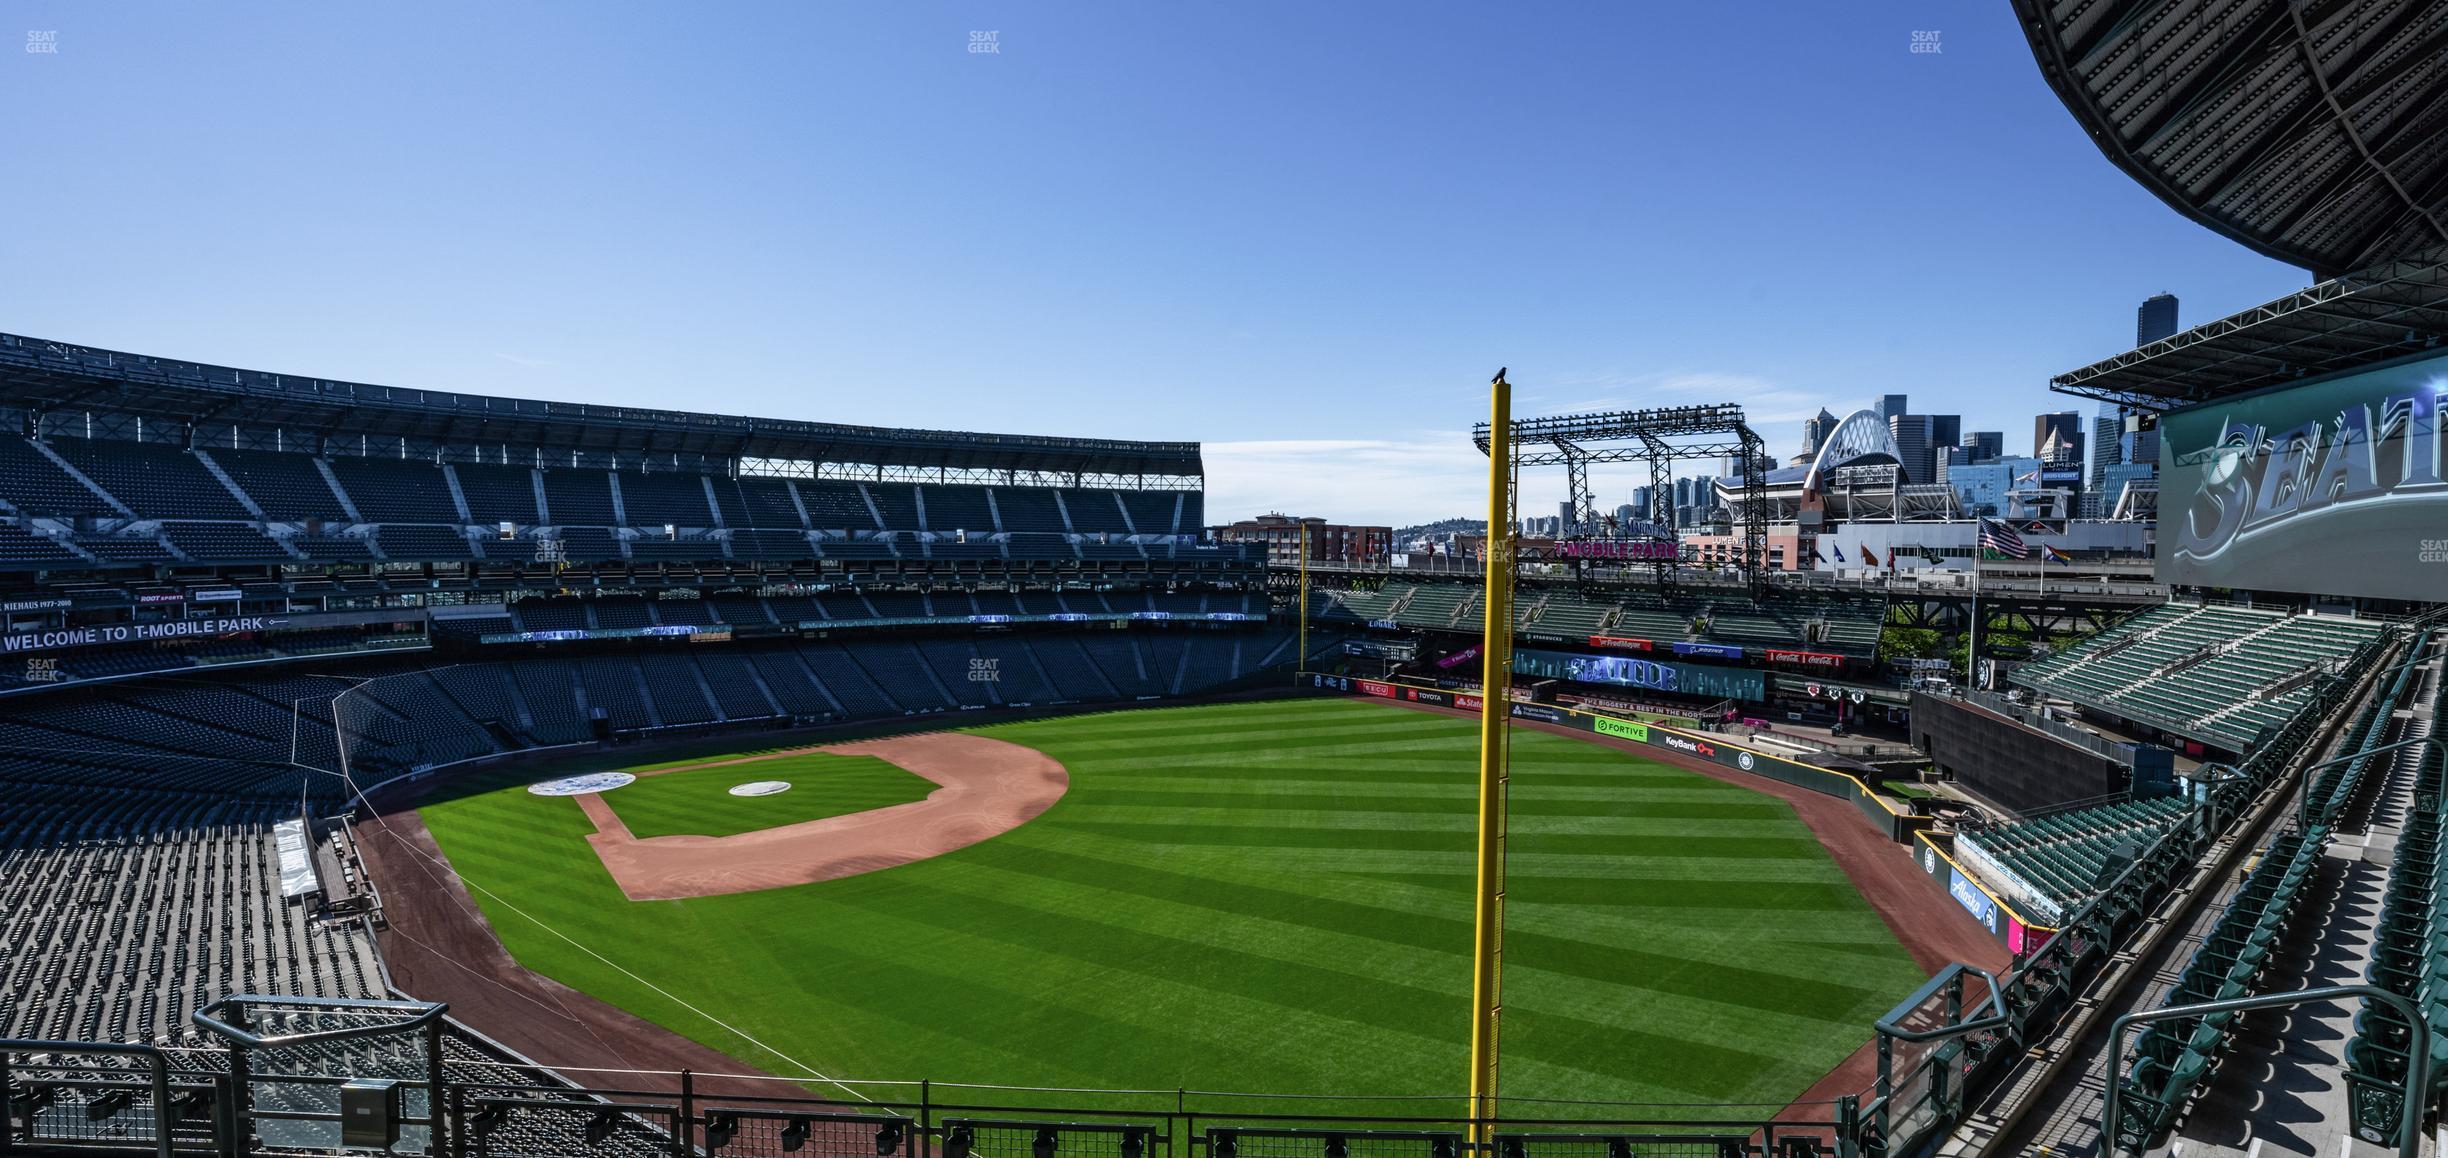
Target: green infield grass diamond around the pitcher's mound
{"type": "Point", "coordinates": [699, 802]}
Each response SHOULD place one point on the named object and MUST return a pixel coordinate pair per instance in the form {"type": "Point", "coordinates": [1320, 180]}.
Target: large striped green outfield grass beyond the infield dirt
{"type": "Point", "coordinates": [1255, 897]}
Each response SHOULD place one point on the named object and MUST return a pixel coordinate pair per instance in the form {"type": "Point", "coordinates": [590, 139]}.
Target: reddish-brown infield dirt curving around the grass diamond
{"type": "Point", "coordinates": [988, 787]}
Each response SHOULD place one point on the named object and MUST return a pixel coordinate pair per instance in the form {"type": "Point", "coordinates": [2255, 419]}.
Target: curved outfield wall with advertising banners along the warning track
{"type": "Point", "coordinates": [1987, 910]}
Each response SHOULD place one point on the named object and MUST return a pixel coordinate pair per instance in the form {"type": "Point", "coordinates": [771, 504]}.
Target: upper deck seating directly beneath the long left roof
{"type": "Point", "coordinates": [765, 515]}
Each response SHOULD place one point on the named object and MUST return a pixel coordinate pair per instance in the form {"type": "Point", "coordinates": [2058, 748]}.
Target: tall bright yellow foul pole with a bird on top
{"type": "Point", "coordinates": [1495, 716]}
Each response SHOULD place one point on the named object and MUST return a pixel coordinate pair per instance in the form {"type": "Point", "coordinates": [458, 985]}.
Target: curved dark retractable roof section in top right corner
{"type": "Point", "coordinates": [2312, 131]}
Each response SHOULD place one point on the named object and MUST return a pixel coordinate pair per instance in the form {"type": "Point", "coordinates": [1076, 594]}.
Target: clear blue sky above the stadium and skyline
{"type": "Point", "coordinates": [1304, 234]}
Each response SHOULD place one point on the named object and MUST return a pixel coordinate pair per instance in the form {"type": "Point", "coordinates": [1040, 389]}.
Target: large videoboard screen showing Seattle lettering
{"type": "Point", "coordinates": [2332, 488]}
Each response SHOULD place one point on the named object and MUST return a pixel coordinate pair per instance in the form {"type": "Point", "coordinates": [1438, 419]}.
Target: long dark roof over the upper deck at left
{"type": "Point", "coordinates": [45, 376]}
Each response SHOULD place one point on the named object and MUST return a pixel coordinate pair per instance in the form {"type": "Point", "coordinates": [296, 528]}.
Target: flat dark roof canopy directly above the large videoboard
{"type": "Point", "coordinates": [2390, 310]}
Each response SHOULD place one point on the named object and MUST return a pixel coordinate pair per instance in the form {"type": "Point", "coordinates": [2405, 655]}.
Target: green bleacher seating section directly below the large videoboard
{"type": "Point", "coordinates": [2212, 674]}
